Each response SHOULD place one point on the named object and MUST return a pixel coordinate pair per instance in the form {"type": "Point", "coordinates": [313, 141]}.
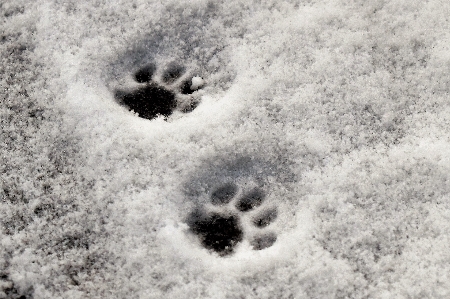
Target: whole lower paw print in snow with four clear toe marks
{"type": "Point", "coordinates": [231, 216]}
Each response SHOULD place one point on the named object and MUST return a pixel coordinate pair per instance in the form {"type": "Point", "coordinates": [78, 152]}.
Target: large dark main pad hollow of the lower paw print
{"type": "Point", "coordinates": [217, 232]}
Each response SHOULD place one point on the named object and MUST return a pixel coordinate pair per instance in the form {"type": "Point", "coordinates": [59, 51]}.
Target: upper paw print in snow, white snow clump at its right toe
{"type": "Point", "coordinates": [156, 93]}
